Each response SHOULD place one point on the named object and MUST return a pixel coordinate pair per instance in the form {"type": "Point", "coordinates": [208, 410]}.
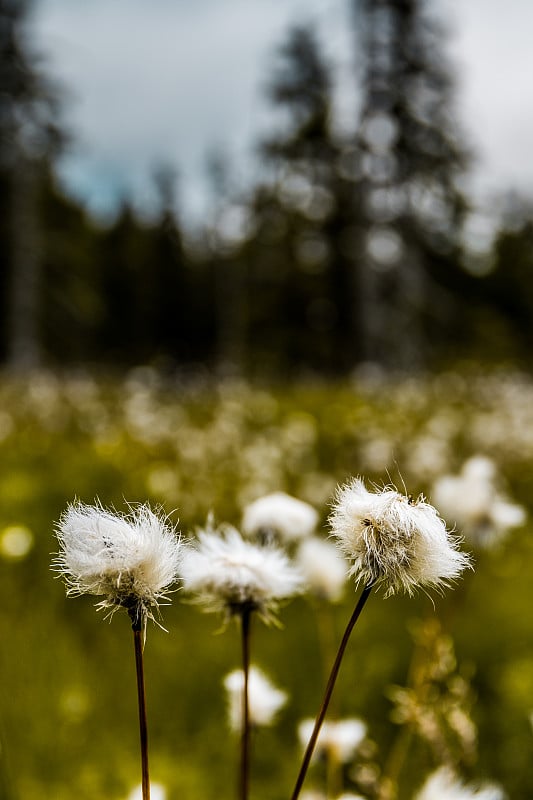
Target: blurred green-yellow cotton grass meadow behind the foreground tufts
{"type": "Point", "coordinates": [433, 679]}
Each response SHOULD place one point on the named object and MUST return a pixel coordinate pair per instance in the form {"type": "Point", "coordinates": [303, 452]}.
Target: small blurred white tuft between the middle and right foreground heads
{"type": "Point", "coordinates": [323, 568]}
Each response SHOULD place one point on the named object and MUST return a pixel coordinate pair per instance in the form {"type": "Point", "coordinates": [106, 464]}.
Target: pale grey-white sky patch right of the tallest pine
{"type": "Point", "coordinates": [491, 47]}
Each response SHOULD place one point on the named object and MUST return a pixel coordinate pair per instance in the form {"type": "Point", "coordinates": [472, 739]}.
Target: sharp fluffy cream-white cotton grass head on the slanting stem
{"type": "Point", "coordinates": [394, 540]}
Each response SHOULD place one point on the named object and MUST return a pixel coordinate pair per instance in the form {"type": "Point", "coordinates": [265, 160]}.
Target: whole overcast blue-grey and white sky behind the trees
{"type": "Point", "coordinates": [166, 81]}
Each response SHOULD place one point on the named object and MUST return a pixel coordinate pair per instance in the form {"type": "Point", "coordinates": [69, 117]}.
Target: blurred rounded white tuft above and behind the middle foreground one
{"type": "Point", "coordinates": [281, 516]}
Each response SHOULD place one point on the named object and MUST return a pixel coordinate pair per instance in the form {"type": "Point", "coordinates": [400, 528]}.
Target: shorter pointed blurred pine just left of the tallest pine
{"type": "Point", "coordinates": [306, 217]}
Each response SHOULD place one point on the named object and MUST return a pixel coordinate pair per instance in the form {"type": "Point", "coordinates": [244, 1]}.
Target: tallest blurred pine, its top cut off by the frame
{"type": "Point", "coordinates": [411, 159]}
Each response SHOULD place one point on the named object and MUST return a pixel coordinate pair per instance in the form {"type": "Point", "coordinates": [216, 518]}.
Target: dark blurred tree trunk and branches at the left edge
{"type": "Point", "coordinates": [28, 136]}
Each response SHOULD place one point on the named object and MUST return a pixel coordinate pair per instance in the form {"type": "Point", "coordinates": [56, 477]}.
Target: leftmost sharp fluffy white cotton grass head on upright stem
{"type": "Point", "coordinates": [131, 560]}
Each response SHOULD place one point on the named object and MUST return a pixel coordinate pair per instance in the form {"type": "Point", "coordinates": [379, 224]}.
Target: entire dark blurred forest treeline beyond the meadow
{"type": "Point", "coordinates": [349, 250]}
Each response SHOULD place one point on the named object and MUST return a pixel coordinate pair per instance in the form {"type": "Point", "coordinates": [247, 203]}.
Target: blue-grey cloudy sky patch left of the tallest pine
{"type": "Point", "coordinates": [161, 82]}
